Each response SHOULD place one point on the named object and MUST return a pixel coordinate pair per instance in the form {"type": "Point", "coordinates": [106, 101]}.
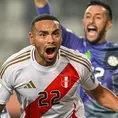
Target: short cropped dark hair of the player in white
{"type": "Point", "coordinates": [43, 17]}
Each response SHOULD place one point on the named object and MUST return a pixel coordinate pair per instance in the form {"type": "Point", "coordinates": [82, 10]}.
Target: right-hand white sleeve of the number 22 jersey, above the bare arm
{"type": "Point", "coordinates": [87, 81]}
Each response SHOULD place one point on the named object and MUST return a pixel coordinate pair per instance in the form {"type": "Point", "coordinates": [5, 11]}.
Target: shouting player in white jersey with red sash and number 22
{"type": "Point", "coordinates": [46, 75]}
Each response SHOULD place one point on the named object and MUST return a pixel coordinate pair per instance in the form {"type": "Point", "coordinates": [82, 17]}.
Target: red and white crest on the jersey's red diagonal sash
{"type": "Point", "coordinates": [66, 81]}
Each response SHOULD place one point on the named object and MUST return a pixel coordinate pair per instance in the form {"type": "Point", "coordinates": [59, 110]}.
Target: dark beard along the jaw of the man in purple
{"type": "Point", "coordinates": [99, 38]}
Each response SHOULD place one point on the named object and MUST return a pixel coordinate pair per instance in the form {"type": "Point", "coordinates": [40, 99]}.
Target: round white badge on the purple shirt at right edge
{"type": "Point", "coordinates": [112, 61]}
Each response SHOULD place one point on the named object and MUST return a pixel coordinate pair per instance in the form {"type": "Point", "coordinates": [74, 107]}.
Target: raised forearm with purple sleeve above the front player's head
{"type": "Point", "coordinates": [43, 7]}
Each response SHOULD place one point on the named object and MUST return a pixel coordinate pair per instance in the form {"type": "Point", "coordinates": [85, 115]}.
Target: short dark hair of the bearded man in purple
{"type": "Point", "coordinates": [103, 4]}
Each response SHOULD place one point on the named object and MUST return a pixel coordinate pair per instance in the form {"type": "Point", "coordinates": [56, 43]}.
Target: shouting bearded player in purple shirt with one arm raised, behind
{"type": "Point", "coordinates": [102, 53]}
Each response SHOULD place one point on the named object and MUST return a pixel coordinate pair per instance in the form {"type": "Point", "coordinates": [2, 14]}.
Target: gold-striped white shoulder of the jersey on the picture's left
{"type": "Point", "coordinates": [16, 60]}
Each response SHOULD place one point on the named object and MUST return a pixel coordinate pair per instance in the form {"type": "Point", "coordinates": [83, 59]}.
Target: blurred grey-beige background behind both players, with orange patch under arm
{"type": "Point", "coordinates": [15, 18]}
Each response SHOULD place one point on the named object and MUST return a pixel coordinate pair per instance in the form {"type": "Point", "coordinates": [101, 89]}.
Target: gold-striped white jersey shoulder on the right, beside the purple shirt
{"type": "Point", "coordinates": [75, 57]}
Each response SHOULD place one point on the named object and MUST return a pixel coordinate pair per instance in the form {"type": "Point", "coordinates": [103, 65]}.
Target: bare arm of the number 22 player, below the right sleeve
{"type": "Point", "coordinates": [104, 97]}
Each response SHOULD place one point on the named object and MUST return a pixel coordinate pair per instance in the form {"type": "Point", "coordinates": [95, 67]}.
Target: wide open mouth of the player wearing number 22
{"type": "Point", "coordinates": [50, 52]}
